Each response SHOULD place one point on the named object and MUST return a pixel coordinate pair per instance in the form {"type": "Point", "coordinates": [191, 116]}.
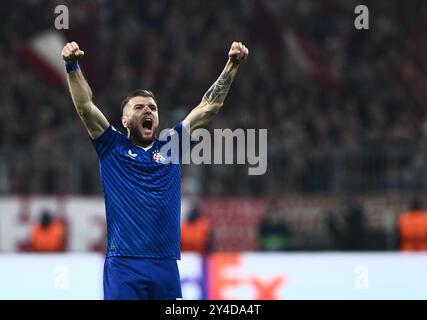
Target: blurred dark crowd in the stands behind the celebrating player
{"type": "Point", "coordinates": [328, 94]}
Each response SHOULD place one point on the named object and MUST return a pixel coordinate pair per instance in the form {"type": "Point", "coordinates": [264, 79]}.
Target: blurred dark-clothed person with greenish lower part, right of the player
{"type": "Point", "coordinates": [273, 232]}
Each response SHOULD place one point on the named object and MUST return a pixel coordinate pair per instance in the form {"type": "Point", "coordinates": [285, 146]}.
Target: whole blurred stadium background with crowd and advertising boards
{"type": "Point", "coordinates": [346, 116]}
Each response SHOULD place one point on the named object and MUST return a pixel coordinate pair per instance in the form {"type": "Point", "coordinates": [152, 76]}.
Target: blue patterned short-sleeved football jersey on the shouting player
{"type": "Point", "coordinates": [142, 197]}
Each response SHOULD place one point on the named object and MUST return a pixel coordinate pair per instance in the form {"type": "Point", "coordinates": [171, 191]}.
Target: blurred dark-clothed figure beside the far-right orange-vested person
{"type": "Point", "coordinates": [348, 228]}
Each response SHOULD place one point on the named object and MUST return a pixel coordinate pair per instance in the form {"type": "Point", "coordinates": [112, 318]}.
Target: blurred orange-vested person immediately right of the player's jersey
{"type": "Point", "coordinates": [196, 233]}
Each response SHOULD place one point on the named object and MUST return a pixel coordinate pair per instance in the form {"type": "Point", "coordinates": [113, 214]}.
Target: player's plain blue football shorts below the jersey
{"type": "Point", "coordinates": [135, 278]}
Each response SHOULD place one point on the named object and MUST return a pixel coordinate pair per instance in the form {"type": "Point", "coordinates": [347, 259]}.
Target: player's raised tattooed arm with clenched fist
{"type": "Point", "coordinates": [214, 98]}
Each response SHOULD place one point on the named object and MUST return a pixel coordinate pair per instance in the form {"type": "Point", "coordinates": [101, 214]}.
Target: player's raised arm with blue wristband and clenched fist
{"type": "Point", "coordinates": [93, 119]}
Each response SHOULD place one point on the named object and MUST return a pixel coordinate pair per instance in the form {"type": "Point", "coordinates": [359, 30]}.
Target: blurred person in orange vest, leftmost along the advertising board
{"type": "Point", "coordinates": [48, 235]}
